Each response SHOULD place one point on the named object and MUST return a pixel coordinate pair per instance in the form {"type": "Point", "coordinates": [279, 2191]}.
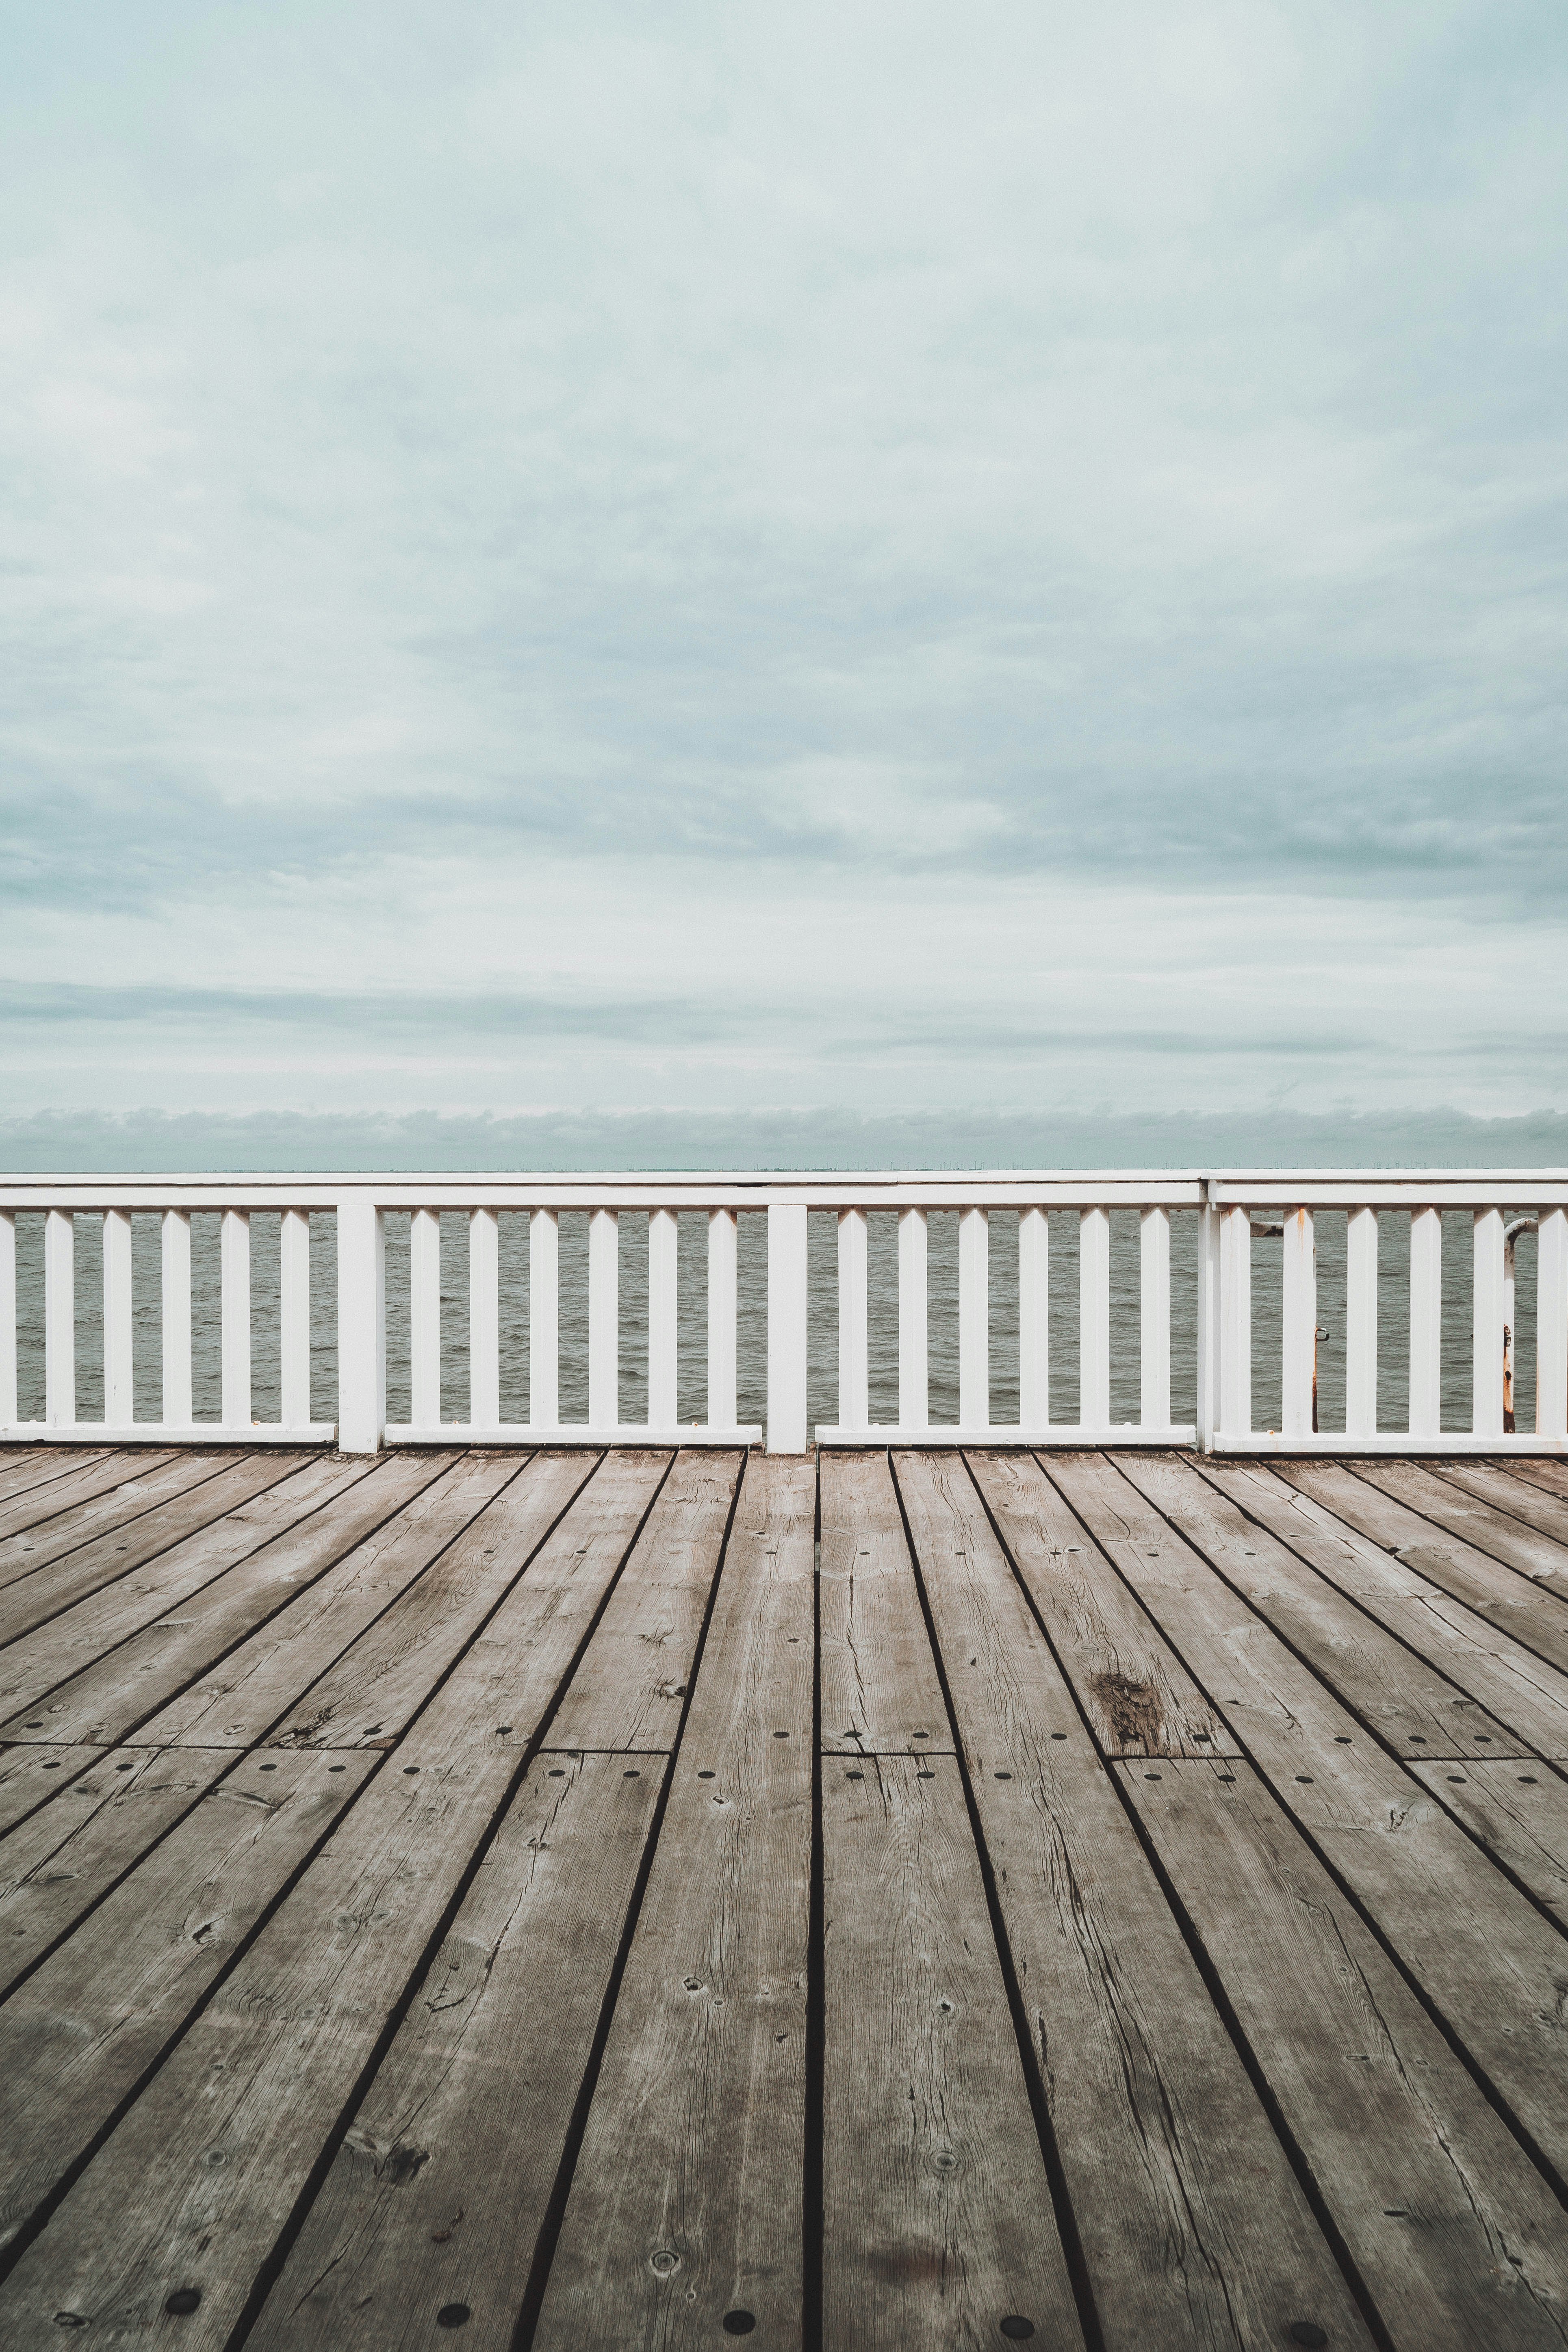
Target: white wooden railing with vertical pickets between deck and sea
{"type": "Point", "coordinates": [1228, 1212]}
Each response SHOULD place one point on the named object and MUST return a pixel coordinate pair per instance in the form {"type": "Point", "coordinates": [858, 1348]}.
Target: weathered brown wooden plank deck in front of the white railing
{"type": "Point", "coordinates": [655, 1899]}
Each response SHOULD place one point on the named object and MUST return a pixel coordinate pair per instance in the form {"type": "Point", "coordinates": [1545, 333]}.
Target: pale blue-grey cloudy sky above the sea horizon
{"type": "Point", "coordinates": [695, 559]}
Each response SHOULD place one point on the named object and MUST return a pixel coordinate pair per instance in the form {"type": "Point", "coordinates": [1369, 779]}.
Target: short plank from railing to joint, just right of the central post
{"type": "Point", "coordinates": [880, 1685]}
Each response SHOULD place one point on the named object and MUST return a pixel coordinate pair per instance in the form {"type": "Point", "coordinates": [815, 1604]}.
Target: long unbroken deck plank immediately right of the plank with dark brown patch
{"type": "Point", "coordinates": [1485, 1956]}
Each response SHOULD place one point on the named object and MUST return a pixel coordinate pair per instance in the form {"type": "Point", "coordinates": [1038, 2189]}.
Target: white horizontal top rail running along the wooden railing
{"type": "Point", "coordinates": [953, 1189]}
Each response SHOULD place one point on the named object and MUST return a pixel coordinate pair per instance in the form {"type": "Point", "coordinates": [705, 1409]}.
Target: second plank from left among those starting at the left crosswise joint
{"type": "Point", "coordinates": [67, 1855]}
